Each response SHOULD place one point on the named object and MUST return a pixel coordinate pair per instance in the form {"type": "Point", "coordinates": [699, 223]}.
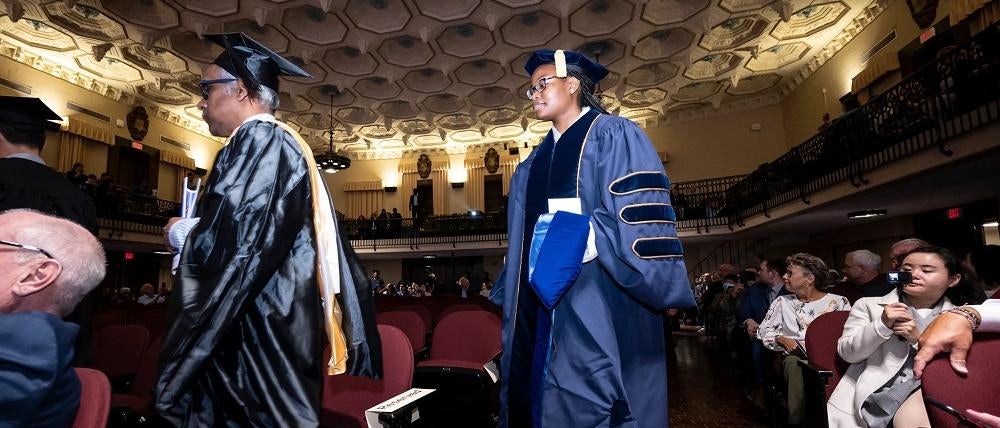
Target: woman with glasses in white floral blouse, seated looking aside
{"type": "Point", "coordinates": [784, 327]}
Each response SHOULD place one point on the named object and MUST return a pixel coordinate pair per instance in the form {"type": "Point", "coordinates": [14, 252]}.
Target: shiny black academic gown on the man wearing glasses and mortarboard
{"type": "Point", "coordinates": [246, 336]}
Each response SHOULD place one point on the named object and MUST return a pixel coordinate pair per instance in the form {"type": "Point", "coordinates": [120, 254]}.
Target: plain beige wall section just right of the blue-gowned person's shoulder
{"type": "Point", "coordinates": [720, 146]}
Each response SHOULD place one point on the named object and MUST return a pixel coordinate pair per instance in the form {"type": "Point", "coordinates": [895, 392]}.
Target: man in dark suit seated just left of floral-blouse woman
{"type": "Point", "coordinates": [750, 313]}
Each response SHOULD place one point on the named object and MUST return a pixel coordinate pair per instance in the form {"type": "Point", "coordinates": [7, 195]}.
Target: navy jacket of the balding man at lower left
{"type": "Point", "coordinates": [38, 386]}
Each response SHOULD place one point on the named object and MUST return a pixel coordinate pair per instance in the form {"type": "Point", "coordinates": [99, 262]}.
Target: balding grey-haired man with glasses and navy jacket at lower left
{"type": "Point", "coordinates": [47, 265]}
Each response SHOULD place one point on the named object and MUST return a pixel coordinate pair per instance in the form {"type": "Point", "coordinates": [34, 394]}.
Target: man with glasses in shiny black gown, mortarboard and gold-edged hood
{"type": "Point", "coordinates": [246, 336]}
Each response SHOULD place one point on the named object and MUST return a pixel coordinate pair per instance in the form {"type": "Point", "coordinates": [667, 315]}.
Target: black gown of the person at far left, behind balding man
{"type": "Point", "coordinates": [29, 184]}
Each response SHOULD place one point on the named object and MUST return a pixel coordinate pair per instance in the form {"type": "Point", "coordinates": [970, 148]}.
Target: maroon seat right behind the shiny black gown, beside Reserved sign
{"type": "Point", "coordinates": [345, 398]}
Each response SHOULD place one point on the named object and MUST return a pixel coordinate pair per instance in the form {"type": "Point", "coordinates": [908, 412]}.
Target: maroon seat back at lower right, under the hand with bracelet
{"type": "Point", "coordinates": [948, 394]}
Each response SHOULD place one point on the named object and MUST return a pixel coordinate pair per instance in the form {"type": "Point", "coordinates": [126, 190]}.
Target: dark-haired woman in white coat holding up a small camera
{"type": "Point", "coordinates": [879, 389]}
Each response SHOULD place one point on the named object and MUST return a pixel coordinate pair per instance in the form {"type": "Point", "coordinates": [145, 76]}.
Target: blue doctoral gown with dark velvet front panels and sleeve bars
{"type": "Point", "coordinates": [598, 359]}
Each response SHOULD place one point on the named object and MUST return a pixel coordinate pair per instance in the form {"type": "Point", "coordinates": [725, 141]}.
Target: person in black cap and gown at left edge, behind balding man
{"type": "Point", "coordinates": [26, 182]}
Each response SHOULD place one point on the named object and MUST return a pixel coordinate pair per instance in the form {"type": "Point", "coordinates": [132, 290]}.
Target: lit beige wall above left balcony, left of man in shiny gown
{"type": "Point", "coordinates": [56, 92]}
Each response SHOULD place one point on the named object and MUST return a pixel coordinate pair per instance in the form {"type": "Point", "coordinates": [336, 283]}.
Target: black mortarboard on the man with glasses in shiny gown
{"type": "Point", "coordinates": [252, 62]}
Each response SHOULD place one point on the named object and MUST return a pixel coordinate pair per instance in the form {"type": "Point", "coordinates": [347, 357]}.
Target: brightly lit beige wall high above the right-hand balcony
{"type": "Point", "coordinates": [803, 109]}
